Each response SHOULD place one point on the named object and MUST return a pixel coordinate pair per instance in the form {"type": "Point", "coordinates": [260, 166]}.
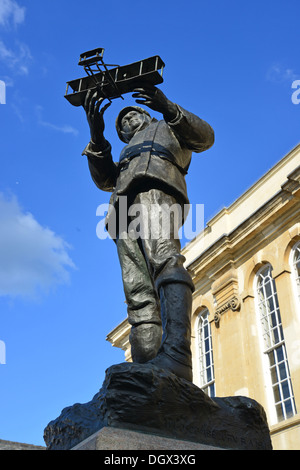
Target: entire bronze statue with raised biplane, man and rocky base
{"type": "Point", "coordinates": [154, 393]}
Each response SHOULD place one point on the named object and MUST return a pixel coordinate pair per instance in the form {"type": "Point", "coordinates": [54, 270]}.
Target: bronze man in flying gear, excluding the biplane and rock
{"type": "Point", "coordinates": [151, 171]}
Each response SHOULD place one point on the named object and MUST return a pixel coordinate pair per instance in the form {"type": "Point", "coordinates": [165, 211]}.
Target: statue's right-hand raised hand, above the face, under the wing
{"type": "Point", "coordinates": [155, 99]}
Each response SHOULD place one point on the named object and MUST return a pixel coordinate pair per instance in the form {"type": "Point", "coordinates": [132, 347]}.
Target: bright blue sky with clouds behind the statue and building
{"type": "Point", "coordinates": [230, 62]}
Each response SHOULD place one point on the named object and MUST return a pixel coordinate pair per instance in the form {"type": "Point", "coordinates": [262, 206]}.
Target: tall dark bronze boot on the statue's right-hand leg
{"type": "Point", "coordinates": [175, 353]}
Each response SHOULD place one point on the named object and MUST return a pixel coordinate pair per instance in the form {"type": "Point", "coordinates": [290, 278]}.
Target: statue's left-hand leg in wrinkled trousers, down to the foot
{"type": "Point", "coordinates": [142, 301]}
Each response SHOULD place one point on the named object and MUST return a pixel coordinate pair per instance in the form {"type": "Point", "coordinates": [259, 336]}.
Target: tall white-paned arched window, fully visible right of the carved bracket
{"type": "Point", "coordinates": [274, 344]}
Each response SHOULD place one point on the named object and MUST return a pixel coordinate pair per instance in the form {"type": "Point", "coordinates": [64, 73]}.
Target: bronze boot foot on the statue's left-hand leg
{"type": "Point", "coordinates": [145, 339]}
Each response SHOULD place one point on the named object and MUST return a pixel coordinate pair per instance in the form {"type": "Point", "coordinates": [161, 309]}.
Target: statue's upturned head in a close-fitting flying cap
{"type": "Point", "coordinates": [131, 120]}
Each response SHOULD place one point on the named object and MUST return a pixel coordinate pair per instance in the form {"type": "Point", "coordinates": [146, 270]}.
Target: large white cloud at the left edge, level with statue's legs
{"type": "Point", "coordinates": [33, 259]}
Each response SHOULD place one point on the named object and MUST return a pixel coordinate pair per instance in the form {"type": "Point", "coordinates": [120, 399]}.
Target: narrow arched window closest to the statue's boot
{"type": "Point", "coordinates": [205, 351]}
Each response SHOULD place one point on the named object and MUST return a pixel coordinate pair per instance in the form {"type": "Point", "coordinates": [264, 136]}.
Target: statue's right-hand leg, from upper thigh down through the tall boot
{"type": "Point", "coordinates": [175, 287]}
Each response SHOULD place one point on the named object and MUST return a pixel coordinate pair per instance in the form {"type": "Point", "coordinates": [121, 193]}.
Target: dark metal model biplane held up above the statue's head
{"type": "Point", "coordinates": [112, 82]}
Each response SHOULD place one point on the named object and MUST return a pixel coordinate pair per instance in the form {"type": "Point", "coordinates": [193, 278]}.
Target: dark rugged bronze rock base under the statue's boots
{"type": "Point", "coordinates": [141, 398]}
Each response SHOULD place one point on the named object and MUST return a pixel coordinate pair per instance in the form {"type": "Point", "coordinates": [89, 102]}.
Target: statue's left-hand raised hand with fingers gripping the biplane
{"type": "Point", "coordinates": [94, 116]}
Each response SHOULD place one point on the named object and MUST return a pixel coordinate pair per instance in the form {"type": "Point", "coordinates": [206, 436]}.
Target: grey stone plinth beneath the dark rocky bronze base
{"type": "Point", "coordinates": [122, 439]}
